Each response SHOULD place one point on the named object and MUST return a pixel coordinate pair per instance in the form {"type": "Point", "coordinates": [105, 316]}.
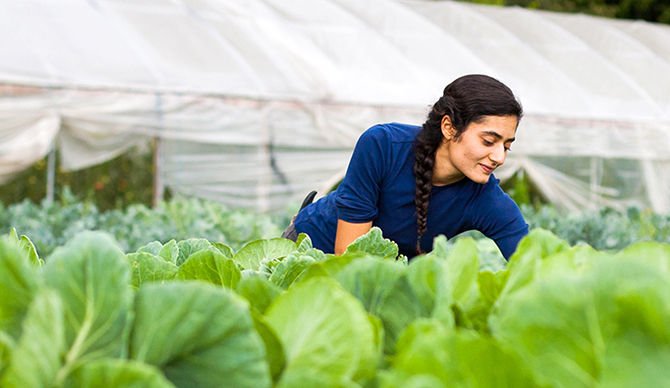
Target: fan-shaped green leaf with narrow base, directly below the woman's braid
{"type": "Point", "coordinates": [383, 288]}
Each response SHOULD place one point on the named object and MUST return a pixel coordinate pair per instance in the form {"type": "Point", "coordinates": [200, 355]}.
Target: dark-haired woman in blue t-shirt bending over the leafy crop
{"type": "Point", "coordinates": [416, 183]}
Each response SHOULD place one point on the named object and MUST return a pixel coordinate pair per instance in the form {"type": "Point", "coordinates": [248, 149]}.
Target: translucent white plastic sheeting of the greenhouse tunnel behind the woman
{"type": "Point", "coordinates": [256, 102]}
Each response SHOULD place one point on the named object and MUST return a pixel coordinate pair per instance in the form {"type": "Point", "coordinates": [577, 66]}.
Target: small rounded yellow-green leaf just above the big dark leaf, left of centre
{"type": "Point", "coordinates": [210, 266]}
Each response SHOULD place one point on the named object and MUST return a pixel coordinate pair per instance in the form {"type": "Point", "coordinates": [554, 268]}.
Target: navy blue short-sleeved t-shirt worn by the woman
{"type": "Point", "coordinates": [379, 187]}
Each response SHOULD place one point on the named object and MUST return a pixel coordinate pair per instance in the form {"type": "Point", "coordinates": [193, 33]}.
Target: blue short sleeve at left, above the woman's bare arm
{"type": "Point", "coordinates": [358, 193]}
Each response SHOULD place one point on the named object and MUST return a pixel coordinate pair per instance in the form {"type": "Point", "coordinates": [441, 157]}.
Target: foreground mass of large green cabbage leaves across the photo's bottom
{"type": "Point", "coordinates": [274, 313]}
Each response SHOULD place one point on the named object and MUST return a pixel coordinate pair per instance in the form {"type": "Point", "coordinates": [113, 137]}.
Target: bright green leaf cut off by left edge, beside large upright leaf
{"type": "Point", "coordinates": [19, 283]}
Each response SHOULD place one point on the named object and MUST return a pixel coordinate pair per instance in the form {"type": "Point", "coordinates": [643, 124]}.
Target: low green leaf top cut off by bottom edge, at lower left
{"type": "Point", "coordinates": [115, 373]}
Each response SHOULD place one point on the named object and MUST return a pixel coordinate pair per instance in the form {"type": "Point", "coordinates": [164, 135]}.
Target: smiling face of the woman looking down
{"type": "Point", "coordinates": [478, 151]}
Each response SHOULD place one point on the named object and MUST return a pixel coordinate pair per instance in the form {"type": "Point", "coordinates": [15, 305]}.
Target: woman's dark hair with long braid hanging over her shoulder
{"type": "Point", "coordinates": [466, 100]}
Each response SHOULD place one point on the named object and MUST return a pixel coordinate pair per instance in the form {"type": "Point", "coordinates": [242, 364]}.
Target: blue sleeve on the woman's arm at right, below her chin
{"type": "Point", "coordinates": [503, 222]}
